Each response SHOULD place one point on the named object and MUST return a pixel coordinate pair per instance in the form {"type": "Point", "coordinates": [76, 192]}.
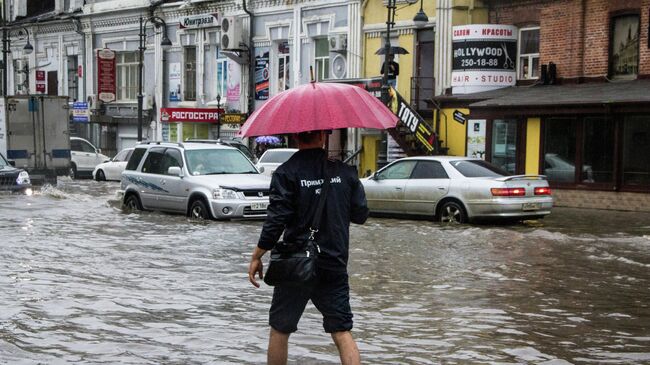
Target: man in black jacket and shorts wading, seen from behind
{"type": "Point", "coordinates": [295, 191]}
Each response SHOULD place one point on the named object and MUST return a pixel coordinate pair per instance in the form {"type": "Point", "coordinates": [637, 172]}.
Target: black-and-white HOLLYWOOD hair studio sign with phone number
{"type": "Point", "coordinates": [484, 57]}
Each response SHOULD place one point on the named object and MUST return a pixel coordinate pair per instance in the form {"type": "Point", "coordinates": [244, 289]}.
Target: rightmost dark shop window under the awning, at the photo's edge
{"type": "Point", "coordinates": [636, 151]}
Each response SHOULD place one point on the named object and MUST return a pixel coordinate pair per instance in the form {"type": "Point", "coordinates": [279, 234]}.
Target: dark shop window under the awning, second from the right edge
{"type": "Point", "coordinates": [597, 150]}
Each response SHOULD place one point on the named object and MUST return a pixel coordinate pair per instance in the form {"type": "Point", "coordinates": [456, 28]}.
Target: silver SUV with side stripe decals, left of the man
{"type": "Point", "coordinates": [197, 179]}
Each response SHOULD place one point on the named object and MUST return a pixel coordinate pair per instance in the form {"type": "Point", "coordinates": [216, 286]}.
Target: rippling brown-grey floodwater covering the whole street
{"type": "Point", "coordinates": [83, 282]}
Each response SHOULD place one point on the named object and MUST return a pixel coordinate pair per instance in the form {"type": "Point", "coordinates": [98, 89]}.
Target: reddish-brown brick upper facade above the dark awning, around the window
{"type": "Point", "coordinates": [574, 34]}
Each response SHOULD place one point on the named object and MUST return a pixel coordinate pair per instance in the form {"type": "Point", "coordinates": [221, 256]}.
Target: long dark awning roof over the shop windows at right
{"type": "Point", "coordinates": [595, 97]}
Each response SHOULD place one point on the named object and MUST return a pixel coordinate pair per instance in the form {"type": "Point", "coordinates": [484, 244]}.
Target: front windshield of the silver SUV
{"type": "Point", "coordinates": [218, 161]}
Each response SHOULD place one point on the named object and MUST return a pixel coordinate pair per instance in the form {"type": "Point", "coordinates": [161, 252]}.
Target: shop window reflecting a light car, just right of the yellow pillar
{"type": "Point", "coordinates": [560, 149]}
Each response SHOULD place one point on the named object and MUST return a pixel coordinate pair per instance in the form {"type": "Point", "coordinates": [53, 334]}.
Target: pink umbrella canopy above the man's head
{"type": "Point", "coordinates": [319, 106]}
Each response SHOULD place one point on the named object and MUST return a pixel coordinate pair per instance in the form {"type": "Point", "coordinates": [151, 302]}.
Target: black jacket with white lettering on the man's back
{"type": "Point", "coordinates": [293, 202]}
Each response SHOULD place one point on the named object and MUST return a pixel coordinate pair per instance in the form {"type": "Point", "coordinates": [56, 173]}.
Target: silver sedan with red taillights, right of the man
{"type": "Point", "coordinates": [456, 189]}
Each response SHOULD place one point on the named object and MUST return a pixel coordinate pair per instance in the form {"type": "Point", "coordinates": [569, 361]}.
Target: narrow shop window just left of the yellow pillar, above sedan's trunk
{"type": "Point", "coordinates": [504, 144]}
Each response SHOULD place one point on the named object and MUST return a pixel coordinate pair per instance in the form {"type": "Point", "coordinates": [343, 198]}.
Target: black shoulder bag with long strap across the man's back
{"type": "Point", "coordinates": [294, 263]}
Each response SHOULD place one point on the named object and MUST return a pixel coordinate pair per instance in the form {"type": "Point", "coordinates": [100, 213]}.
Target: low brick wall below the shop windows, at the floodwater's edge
{"type": "Point", "coordinates": [637, 202]}
